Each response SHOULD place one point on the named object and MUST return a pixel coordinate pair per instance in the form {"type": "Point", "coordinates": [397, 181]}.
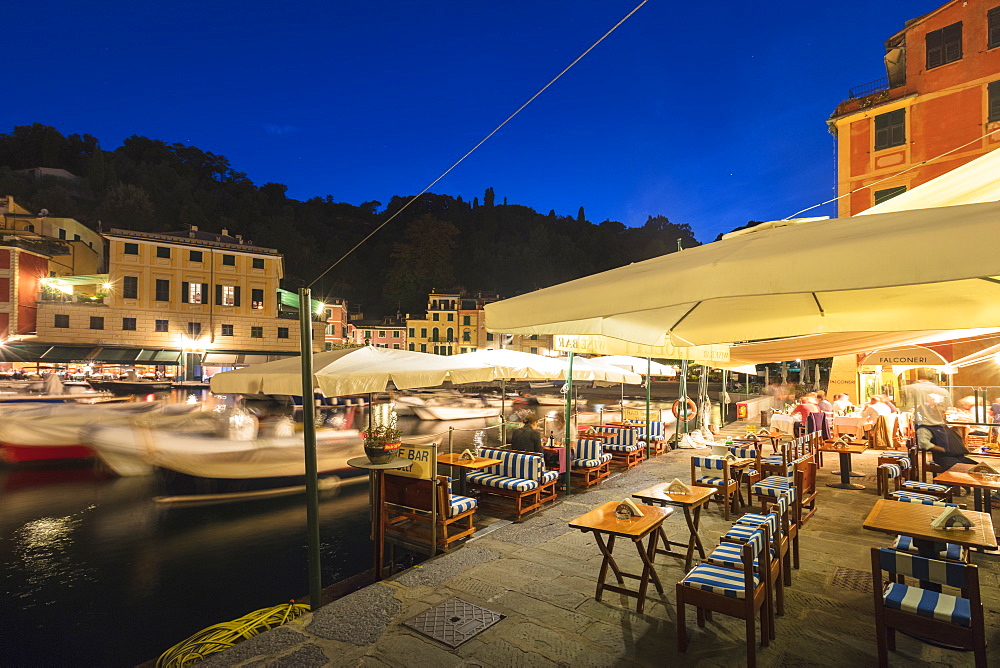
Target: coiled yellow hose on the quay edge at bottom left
{"type": "Point", "coordinates": [222, 636]}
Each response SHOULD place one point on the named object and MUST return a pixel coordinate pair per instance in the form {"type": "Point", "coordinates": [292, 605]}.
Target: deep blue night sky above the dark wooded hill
{"type": "Point", "coordinates": [709, 113]}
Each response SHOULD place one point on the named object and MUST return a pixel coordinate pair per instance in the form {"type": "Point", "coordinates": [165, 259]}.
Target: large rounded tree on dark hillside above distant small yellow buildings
{"type": "Point", "coordinates": [421, 262]}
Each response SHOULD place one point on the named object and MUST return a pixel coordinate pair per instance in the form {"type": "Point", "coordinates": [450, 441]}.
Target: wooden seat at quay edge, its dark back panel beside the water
{"type": "Point", "coordinates": [406, 513]}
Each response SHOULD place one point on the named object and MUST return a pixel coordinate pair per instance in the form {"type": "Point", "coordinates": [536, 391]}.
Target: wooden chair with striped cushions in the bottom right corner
{"type": "Point", "coordinates": [951, 620]}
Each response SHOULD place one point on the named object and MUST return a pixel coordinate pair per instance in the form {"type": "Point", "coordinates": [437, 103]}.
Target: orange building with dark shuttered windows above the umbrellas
{"type": "Point", "coordinates": [941, 95]}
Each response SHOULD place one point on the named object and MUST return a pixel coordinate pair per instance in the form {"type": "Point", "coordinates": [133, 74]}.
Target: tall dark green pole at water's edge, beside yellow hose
{"type": "Point", "coordinates": [309, 442]}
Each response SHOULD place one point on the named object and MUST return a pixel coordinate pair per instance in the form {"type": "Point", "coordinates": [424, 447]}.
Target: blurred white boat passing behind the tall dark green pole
{"type": "Point", "coordinates": [190, 448]}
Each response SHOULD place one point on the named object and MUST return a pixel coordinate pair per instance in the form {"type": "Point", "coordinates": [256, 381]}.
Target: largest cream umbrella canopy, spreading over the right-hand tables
{"type": "Point", "coordinates": [909, 270]}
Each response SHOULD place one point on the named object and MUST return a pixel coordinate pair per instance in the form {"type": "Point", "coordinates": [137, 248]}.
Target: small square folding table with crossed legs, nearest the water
{"type": "Point", "coordinates": [602, 522]}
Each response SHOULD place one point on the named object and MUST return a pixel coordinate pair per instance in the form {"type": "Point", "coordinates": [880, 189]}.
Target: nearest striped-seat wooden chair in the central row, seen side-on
{"type": "Point", "coordinates": [740, 593]}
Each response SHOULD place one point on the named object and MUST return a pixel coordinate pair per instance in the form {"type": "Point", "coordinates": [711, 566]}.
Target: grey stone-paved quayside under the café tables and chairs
{"type": "Point", "coordinates": [542, 576]}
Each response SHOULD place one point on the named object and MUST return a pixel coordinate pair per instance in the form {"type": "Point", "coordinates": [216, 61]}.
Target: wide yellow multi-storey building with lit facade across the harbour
{"type": "Point", "coordinates": [188, 297]}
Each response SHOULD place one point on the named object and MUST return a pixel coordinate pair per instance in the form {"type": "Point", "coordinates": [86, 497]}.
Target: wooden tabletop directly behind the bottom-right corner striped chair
{"type": "Point", "coordinates": [914, 520]}
